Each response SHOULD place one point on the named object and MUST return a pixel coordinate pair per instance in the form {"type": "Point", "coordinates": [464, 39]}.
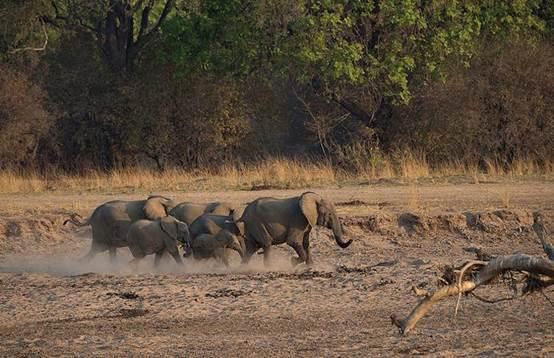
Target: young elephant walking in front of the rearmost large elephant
{"type": "Point", "coordinates": [147, 237]}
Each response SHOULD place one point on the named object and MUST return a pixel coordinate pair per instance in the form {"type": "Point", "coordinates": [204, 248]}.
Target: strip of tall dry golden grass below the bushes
{"type": "Point", "coordinates": [269, 174]}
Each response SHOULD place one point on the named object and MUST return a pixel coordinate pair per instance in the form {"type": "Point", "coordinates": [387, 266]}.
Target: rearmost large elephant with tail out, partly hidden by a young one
{"type": "Point", "coordinates": [110, 222]}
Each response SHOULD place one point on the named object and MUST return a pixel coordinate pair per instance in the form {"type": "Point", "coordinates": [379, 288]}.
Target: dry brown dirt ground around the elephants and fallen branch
{"type": "Point", "coordinates": [51, 306]}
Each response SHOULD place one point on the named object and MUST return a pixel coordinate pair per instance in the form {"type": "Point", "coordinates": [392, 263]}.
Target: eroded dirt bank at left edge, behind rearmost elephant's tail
{"type": "Point", "coordinates": [34, 232]}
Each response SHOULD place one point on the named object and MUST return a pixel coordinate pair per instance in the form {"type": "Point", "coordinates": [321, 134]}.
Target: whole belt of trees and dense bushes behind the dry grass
{"type": "Point", "coordinates": [217, 81]}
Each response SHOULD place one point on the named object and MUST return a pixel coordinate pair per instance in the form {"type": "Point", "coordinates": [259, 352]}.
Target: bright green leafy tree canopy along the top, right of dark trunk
{"type": "Point", "coordinates": [337, 45]}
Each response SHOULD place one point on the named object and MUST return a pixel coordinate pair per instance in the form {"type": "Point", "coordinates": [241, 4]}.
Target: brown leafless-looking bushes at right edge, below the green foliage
{"type": "Point", "coordinates": [501, 108]}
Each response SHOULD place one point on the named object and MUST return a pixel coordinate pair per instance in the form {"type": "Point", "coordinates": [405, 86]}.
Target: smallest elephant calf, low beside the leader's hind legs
{"type": "Point", "coordinates": [206, 246]}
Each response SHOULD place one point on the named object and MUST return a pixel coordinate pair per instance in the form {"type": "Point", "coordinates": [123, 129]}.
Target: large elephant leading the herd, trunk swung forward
{"type": "Point", "coordinates": [270, 221]}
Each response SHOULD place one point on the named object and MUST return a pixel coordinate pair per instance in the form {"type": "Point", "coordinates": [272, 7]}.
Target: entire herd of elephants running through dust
{"type": "Point", "coordinates": [158, 225]}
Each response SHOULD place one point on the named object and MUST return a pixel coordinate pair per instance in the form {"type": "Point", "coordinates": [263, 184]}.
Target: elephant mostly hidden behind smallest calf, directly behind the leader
{"type": "Point", "coordinates": [212, 224]}
